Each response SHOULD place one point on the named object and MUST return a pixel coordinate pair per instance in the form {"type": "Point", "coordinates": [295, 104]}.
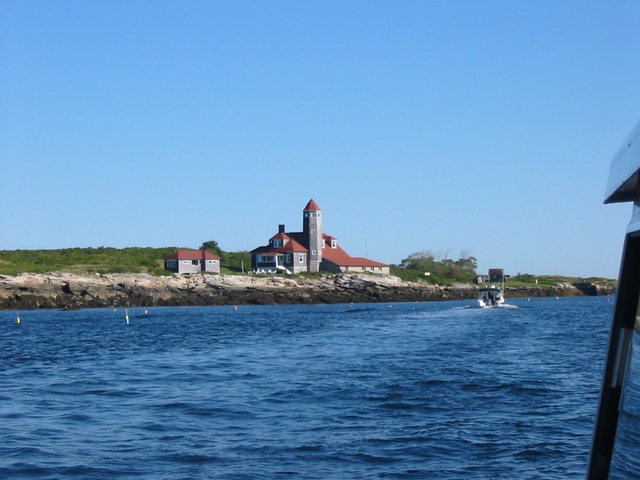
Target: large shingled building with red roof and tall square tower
{"type": "Point", "coordinates": [309, 251]}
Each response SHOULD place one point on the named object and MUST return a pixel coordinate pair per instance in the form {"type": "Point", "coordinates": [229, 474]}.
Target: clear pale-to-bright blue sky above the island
{"type": "Point", "coordinates": [486, 127]}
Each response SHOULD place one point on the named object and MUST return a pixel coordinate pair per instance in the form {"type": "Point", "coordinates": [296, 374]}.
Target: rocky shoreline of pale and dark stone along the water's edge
{"type": "Point", "coordinates": [68, 291]}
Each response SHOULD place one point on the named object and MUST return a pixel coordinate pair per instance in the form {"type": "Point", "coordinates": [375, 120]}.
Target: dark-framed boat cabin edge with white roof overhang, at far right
{"type": "Point", "coordinates": [616, 434]}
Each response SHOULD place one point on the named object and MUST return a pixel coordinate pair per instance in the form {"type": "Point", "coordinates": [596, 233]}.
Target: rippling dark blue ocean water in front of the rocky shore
{"type": "Point", "coordinates": [436, 390]}
